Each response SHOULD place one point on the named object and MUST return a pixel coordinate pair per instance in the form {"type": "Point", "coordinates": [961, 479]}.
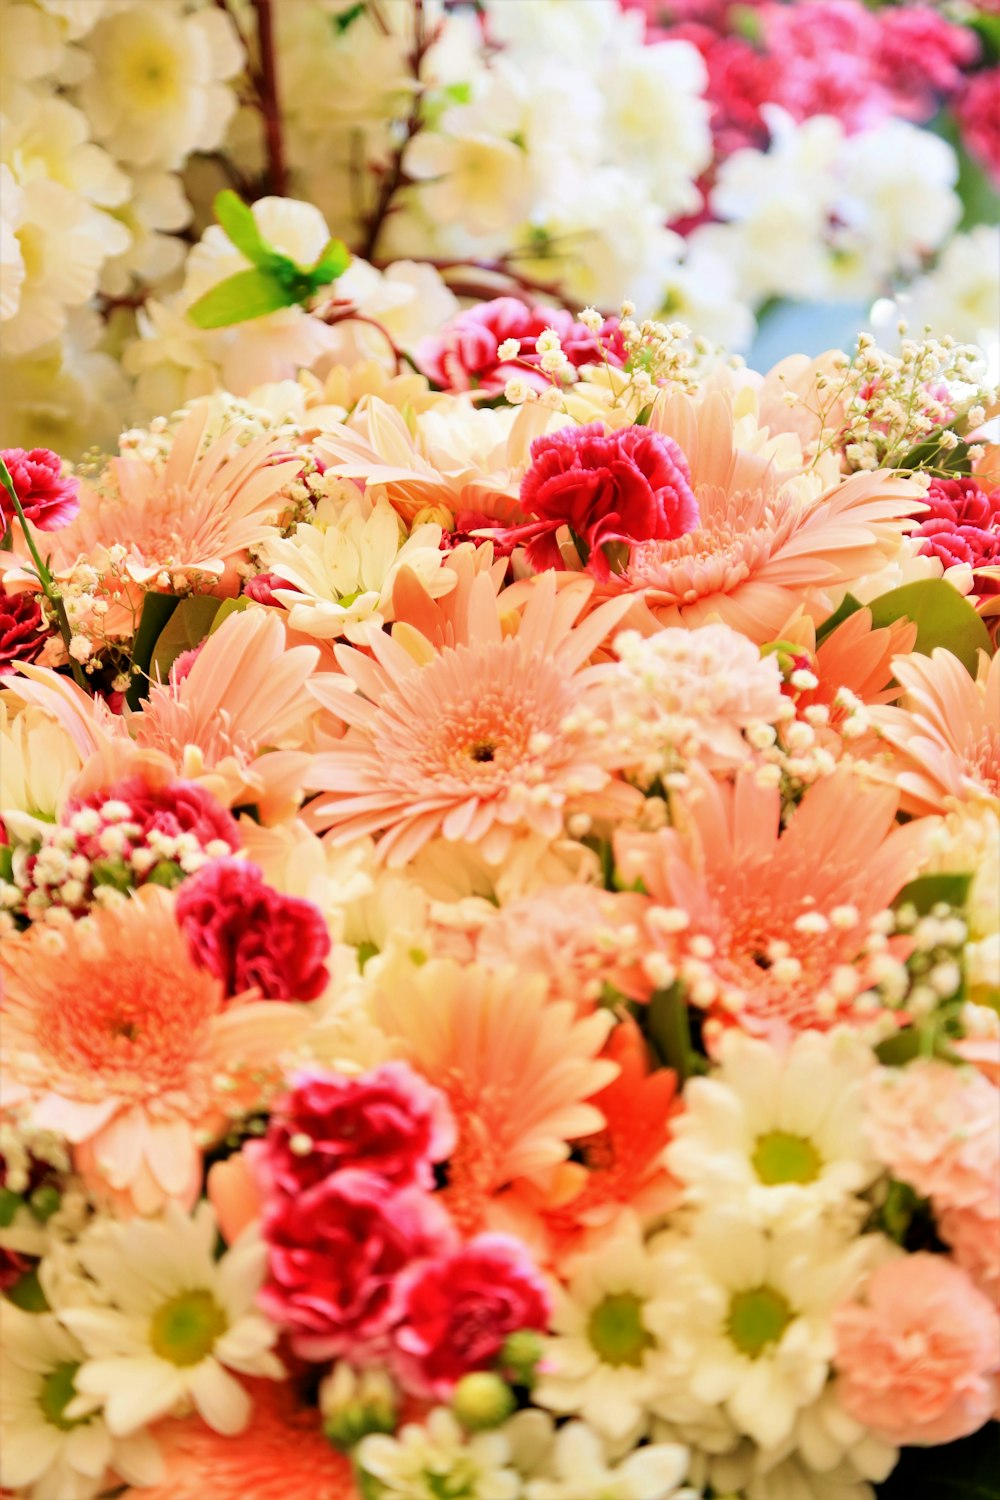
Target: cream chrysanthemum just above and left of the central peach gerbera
{"type": "Point", "coordinates": [343, 565]}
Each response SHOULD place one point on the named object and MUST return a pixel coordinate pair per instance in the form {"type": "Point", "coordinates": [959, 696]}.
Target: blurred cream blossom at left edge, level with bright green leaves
{"type": "Point", "coordinates": [64, 242]}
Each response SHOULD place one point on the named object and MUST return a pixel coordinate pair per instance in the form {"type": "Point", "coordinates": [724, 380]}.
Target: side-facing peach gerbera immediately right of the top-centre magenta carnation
{"type": "Point", "coordinates": [764, 542]}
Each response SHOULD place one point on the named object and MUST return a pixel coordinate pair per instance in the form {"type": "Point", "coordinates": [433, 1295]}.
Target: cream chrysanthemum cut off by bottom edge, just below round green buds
{"type": "Point", "coordinates": [437, 1459]}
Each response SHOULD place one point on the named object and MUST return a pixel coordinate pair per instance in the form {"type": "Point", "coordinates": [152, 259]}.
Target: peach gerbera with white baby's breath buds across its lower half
{"type": "Point", "coordinates": [764, 926]}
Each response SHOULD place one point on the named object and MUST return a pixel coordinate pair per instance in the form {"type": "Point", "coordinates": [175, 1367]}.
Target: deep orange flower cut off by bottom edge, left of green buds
{"type": "Point", "coordinates": [283, 1456]}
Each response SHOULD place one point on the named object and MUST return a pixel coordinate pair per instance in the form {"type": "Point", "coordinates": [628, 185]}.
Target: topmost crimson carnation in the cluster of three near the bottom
{"type": "Point", "coordinates": [391, 1123]}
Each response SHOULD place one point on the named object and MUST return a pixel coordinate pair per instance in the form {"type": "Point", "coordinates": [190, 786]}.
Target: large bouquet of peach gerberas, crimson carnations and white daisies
{"type": "Point", "coordinates": [501, 950]}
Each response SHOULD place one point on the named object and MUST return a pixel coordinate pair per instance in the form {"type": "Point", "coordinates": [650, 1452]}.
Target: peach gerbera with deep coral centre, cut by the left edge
{"type": "Point", "coordinates": [116, 1042]}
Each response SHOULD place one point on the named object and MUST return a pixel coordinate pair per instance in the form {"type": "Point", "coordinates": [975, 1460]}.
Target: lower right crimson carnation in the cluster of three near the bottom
{"type": "Point", "coordinates": [457, 1312]}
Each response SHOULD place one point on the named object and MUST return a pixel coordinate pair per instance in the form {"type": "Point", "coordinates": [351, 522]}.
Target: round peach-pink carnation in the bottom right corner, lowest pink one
{"type": "Point", "coordinates": [918, 1361]}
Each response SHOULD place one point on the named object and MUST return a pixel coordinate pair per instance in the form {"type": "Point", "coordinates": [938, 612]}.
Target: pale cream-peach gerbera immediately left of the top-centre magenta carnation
{"type": "Point", "coordinates": [455, 455]}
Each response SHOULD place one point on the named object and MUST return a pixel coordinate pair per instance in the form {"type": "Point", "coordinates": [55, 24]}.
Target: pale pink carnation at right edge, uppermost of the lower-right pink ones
{"type": "Point", "coordinates": [938, 1129]}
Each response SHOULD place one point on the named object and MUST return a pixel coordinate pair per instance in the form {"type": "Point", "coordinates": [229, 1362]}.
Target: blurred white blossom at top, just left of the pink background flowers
{"type": "Point", "coordinates": [659, 122]}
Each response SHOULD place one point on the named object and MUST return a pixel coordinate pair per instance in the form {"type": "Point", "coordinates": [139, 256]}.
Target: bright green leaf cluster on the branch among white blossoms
{"type": "Point", "coordinates": [274, 281]}
